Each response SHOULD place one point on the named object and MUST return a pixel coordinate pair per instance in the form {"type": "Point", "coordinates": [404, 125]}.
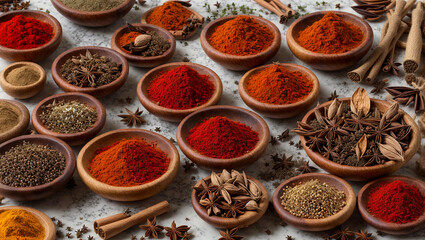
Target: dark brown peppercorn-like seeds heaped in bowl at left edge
{"type": "Point", "coordinates": [29, 165]}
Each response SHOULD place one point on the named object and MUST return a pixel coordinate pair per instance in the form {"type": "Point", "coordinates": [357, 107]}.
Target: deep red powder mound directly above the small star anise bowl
{"type": "Point", "coordinates": [220, 137]}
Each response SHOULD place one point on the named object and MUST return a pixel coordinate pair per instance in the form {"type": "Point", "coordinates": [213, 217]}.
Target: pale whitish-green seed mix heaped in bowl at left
{"type": "Point", "coordinates": [68, 116]}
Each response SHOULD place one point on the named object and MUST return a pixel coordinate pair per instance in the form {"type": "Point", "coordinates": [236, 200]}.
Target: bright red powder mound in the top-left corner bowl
{"type": "Point", "coordinates": [25, 33]}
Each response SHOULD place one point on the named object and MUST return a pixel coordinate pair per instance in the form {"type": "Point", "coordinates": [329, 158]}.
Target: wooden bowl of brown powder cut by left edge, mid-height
{"type": "Point", "coordinates": [21, 127]}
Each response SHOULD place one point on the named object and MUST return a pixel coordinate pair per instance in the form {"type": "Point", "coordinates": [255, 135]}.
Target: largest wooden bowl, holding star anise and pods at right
{"type": "Point", "coordinates": [369, 172]}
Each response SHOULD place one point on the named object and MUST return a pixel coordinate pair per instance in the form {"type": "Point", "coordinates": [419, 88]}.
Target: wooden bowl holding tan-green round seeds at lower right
{"type": "Point", "coordinates": [316, 224]}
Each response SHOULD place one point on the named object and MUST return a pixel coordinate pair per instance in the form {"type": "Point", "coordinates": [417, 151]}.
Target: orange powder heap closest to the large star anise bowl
{"type": "Point", "coordinates": [278, 85]}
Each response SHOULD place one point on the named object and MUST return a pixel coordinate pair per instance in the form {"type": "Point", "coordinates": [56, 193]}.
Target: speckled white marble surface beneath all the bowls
{"type": "Point", "coordinates": [81, 206]}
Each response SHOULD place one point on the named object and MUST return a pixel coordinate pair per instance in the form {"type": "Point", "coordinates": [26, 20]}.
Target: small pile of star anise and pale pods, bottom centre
{"type": "Point", "coordinates": [228, 194]}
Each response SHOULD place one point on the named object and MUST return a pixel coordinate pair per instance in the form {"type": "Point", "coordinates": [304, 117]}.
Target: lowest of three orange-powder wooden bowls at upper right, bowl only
{"type": "Point", "coordinates": [275, 110]}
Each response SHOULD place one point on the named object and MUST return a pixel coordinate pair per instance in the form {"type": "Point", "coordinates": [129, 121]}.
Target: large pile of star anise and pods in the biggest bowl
{"type": "Point", "coordinates": [357, 134]}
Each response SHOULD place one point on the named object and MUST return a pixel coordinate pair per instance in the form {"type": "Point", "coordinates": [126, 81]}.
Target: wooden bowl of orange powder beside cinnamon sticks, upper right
{"type": "Point", "coordinates": [329, 62]}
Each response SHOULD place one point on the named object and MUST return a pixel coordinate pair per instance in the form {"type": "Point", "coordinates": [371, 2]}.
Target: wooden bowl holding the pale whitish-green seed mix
{"type": "Point", "coordinates": [72, 139]}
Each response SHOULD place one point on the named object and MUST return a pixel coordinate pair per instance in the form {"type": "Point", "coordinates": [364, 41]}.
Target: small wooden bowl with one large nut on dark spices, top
{"type": "Point", "coordinates": [140, 61]}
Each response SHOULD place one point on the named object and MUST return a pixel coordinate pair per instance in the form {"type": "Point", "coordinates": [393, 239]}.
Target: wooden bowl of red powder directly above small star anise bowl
{"type": "Point", "coordinates": [233, 113]}
